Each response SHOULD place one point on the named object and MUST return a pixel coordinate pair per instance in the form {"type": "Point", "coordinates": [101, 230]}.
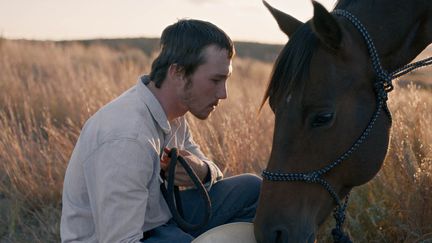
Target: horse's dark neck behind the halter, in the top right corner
{"type": "Point", "coordinates": [400, 29]}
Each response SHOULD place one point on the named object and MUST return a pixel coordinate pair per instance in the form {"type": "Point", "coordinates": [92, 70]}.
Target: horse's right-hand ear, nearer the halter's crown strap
{"type": "Point", "coordinates": [326, 27]}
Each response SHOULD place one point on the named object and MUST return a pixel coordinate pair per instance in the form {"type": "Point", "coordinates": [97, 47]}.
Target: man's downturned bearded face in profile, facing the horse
{"type": "Point", "coordinates": [207, 85]}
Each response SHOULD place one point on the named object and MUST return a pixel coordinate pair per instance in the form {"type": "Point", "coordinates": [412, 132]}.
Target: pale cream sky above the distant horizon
{"type": "Point", "coordinates": [242, 20]}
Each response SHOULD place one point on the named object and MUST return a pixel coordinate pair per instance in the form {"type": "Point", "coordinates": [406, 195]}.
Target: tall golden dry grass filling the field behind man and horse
{"type": "Point", "coordinates": [47, 91]}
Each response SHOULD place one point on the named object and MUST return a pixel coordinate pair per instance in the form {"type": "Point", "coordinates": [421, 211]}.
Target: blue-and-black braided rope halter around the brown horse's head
{"type": "Point", "coordinates": [382, 85]}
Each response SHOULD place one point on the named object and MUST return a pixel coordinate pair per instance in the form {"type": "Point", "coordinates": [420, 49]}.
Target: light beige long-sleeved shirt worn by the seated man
{"type": "Point", "coordinates": [111, 189]}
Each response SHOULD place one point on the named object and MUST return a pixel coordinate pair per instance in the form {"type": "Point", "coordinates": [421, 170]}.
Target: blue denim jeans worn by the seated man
{"type": "Point", "coordinates": [234, 199]}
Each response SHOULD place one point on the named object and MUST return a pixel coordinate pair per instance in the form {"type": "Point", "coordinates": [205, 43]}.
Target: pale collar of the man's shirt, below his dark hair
{"type": "Point", "coordinates": [153, 104]}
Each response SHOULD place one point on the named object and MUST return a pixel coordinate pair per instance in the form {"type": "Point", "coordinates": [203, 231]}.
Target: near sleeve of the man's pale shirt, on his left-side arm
{"type": "Point", "coordinates": [117, 178]}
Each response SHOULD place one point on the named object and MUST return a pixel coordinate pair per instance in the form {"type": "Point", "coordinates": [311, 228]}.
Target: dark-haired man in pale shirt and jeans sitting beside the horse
{"type": "Point", "coordinates": [112, 183]}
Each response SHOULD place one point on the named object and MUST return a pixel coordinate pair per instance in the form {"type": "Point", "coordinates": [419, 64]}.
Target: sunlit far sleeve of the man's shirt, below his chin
{"type": "Point", "coordinates": [214, 171]}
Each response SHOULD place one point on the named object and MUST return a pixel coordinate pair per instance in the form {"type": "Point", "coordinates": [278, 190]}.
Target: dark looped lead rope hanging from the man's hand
{"type": "Point", "coordinates": [172, 195]}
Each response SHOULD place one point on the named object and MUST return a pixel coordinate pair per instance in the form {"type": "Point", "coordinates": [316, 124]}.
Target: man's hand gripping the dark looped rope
{"type": "Point", "coordinates": [181, 177]}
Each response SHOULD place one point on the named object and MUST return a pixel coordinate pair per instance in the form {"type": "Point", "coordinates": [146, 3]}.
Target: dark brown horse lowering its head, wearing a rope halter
{"type": "Point", "coordinates": [328, 91]}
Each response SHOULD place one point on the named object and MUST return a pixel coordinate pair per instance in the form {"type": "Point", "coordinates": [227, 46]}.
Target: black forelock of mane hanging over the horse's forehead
{"type": "Point", "coordinates": [292, 64]}
